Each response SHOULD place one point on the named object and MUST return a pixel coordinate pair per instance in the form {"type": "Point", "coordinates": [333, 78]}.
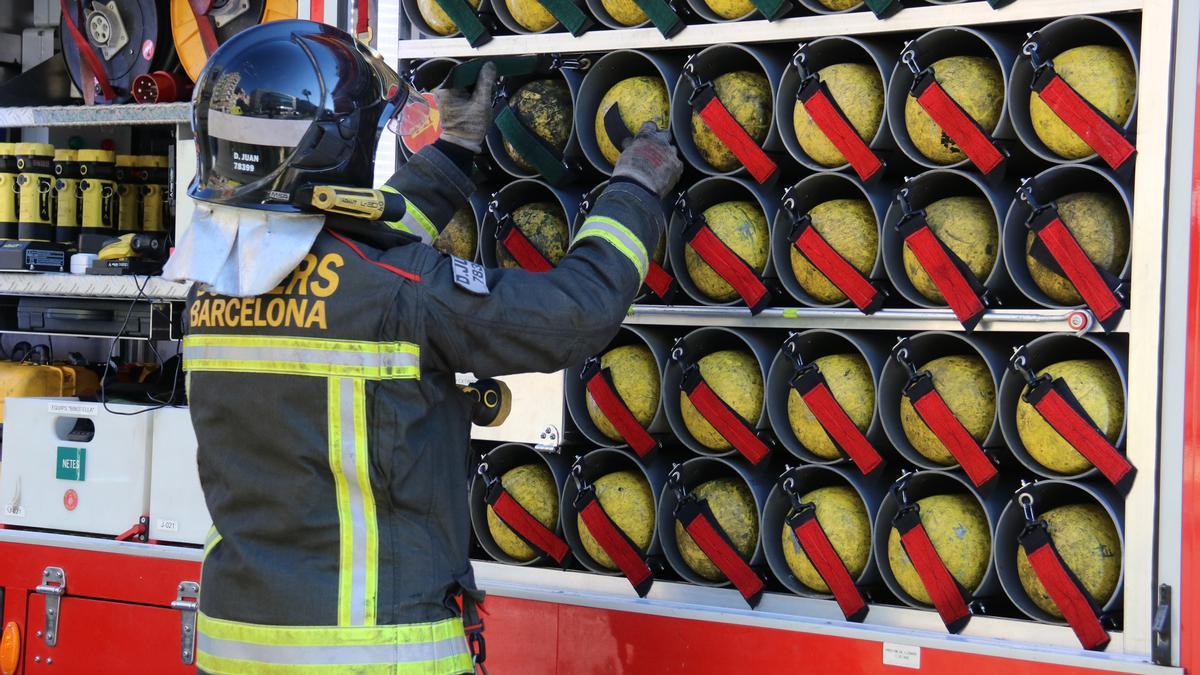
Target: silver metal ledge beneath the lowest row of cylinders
{"type": "Point", "coordinates": [985, 636]}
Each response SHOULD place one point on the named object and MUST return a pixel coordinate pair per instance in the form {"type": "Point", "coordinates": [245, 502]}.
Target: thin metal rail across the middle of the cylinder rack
{"type": "Point", "coordinates": [997, 321]}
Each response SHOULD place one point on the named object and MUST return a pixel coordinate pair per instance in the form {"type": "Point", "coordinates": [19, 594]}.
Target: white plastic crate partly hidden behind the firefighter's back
{"type": "Point", "coordinates": [178, 512]}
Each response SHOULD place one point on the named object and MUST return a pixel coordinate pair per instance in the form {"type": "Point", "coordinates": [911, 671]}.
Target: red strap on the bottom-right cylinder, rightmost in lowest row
{"type": "Point", "coordinates": [1077, 606]}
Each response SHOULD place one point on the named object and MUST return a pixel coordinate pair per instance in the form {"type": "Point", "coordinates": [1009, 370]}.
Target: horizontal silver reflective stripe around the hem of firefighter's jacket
{"type": "Point", "coordinates": [333, 655]}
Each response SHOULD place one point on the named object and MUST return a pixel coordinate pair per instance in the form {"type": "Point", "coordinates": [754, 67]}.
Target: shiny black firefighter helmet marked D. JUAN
{"type": "Point", "coordinates": [287, 105]}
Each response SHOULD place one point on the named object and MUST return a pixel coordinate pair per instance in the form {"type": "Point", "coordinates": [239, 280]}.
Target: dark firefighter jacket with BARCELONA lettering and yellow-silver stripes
{"type": "Point", "coordinates": [334, 441]}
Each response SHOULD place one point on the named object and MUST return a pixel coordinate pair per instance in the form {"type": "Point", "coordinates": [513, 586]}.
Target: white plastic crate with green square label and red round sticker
{"type": "Point", "coordinates": [97, 482]}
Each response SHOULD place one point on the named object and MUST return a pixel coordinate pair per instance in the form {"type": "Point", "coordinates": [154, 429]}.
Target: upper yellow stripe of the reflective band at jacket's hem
{"type": "Point", "coordinates": [328, 636]}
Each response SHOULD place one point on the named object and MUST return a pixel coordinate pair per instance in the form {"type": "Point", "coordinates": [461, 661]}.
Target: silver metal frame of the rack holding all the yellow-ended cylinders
{"type": "Point", "coordinates": [1133, 648]}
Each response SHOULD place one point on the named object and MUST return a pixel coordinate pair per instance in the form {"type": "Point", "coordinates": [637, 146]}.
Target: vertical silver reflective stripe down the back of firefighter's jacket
{"type": "Point", "coordinates": [350, 449]}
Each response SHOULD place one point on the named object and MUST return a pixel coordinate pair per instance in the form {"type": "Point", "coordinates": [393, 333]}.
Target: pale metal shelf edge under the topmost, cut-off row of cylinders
{"type": "Point", "coordinates": [785, 31]}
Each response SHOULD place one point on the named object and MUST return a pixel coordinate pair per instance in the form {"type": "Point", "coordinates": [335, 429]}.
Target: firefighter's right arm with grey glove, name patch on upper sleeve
{"type": "Point", "coordinates": [523, 321]}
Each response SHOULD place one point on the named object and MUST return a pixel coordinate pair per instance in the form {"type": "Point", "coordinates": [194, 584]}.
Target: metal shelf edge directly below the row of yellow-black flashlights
{"type": "Point", "coordinates": [89, 286]}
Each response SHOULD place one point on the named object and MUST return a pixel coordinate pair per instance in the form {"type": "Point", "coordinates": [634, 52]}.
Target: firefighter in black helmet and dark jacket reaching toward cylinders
{"type": "Point", "coordinates": [333, 440]}
